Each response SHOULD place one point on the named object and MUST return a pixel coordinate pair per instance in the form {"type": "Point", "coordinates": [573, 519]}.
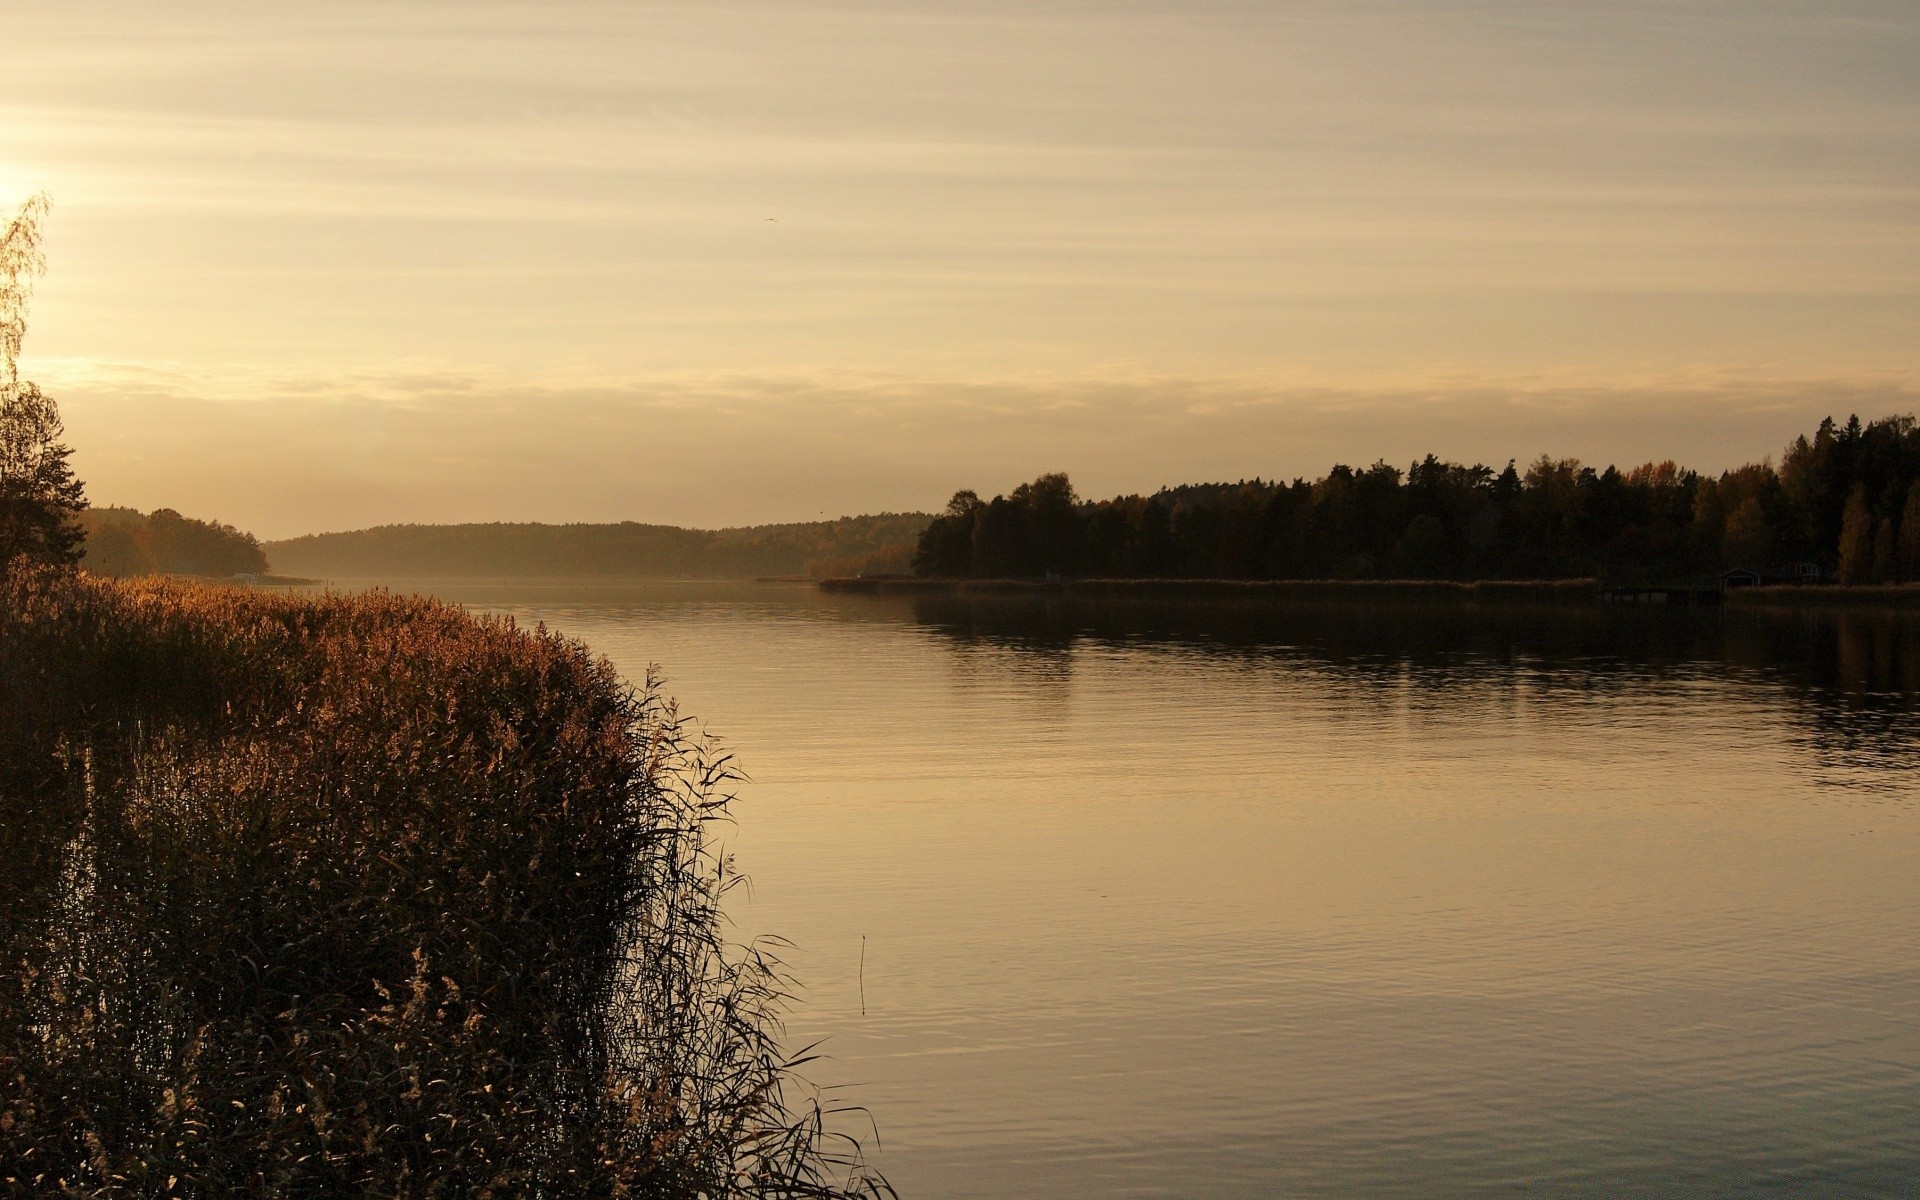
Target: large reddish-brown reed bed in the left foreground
{"type": "Point", "coordinates": [366, 896]}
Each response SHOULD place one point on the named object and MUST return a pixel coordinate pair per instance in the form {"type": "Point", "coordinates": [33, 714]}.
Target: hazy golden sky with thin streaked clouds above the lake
{"type": "Point", "coordinates": [324, 266]}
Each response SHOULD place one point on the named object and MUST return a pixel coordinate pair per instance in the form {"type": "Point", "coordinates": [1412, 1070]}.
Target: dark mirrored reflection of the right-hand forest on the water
{"type": "Point", "coordinates": [1854, 675]}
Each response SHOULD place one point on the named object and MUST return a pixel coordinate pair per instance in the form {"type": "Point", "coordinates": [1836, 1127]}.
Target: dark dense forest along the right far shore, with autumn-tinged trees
{"type": "Point", "coordinates": [1840, 500]}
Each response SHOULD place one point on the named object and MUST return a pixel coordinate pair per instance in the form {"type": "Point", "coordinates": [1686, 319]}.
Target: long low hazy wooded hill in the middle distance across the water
{"type": "Point", "coordinates": [625, 550]}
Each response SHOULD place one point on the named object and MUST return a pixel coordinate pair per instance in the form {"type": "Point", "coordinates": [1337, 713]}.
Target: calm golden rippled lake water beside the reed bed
{"type": "Point", "coordinates": [1332, 903]}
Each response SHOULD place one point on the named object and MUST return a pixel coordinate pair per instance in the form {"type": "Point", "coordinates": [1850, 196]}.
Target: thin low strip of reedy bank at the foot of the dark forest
{"type": "Point", "coordinates": [1212, 590]}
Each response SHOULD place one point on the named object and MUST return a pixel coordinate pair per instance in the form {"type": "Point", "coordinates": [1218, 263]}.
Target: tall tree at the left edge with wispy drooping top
{"type": "Point", "coordinates": [39, 494]}
